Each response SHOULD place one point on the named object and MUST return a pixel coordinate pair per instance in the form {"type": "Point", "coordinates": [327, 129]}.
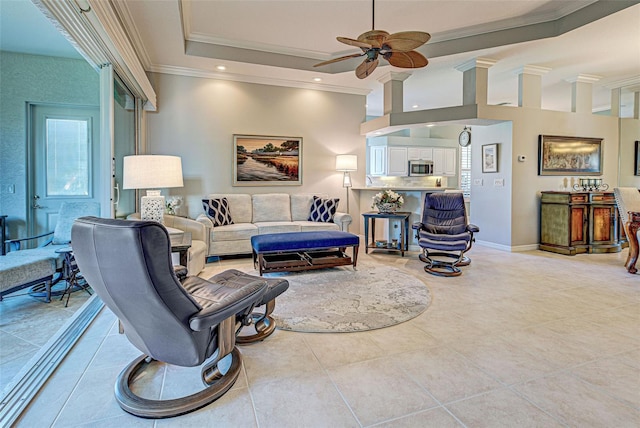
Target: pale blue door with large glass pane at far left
{"type": "Point", "coordinates": [64, 160]}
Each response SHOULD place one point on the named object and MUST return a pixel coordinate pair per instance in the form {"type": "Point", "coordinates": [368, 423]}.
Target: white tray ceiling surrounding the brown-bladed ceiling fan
{"type": "Point", "coordinates": [277, 42]}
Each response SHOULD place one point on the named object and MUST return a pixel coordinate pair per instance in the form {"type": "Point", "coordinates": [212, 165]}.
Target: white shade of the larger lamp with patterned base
{"type": "Point", "coordinates": [152, 172]}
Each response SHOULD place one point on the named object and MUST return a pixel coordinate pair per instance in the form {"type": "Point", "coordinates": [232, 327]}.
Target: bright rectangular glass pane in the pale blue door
{"type": "Point", "coordinates": [68, 154]}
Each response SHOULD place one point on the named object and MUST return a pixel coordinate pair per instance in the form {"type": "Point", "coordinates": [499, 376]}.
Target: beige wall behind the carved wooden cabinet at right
{"type": "Point", "coordinates": [520, 203]}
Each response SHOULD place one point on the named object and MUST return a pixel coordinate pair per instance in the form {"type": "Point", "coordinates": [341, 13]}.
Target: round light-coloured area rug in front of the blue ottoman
{"type": "Point", "coordinates": [343, 300]}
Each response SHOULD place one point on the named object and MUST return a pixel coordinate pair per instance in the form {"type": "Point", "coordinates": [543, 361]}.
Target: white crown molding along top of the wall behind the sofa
{"type": "Point", "coordinates": [235, 77]}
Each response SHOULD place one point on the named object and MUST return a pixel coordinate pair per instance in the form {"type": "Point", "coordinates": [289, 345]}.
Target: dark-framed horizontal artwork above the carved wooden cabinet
{"type": "Point", "coordinates": [569, 155]}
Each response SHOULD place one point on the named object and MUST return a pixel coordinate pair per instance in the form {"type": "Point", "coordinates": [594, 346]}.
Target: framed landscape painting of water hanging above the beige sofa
{"type": "Point", "coordinates": [267, 161]}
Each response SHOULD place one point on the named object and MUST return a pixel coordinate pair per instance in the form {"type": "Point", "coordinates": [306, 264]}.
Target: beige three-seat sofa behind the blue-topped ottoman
{"type": "Point", "coordinates": [260, 214]}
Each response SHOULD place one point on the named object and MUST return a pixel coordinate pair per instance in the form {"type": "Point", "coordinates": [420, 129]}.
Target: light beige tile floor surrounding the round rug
{"type": "Point", "coordinates": [519, 340]}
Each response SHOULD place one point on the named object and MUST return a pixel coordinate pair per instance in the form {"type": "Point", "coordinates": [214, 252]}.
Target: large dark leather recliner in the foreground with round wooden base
{"type": "Point", "coordinates": [128, 264]}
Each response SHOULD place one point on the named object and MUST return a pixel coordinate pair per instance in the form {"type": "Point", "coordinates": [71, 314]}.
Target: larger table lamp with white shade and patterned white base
{"type": "Point", "coordinates": [152, 172]}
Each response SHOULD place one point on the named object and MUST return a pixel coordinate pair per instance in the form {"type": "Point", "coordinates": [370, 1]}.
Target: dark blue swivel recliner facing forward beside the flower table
{"type": "Point", "coordinates": [444, 233]}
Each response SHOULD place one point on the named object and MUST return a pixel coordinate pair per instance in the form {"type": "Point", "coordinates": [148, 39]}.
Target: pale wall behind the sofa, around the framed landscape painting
{"type": "Point", "coordinates": [197, 117]}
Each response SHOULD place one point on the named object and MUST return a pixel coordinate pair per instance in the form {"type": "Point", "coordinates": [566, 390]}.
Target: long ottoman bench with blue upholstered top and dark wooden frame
{"type": "Point", "coordinates": [297, 251]}
